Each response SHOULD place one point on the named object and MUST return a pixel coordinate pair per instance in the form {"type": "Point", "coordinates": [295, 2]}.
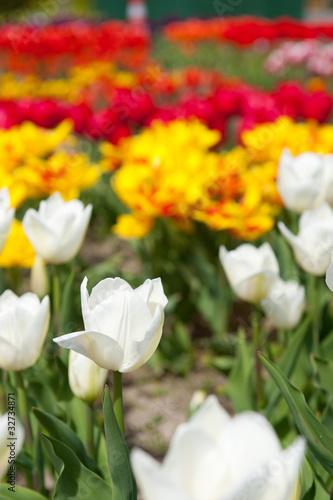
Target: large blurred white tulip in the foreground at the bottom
{"type": "Point", "coordinates": [216, 457]}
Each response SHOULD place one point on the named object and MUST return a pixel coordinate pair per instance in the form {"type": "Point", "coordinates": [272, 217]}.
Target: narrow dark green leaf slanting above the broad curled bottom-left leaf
{"type": "Point", "coordinates": [62, 432]}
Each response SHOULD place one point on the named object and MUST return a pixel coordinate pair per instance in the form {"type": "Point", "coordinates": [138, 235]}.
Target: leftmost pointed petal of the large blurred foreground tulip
{"type": "Point", "coordinates": [153, 482]}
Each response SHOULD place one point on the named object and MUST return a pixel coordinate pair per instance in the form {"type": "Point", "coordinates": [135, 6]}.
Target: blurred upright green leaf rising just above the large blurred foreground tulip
{"type": "Point", "coordinates": [240, 383]}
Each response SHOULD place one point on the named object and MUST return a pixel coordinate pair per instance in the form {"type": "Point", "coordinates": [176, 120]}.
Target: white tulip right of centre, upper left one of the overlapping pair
{"type": "Point", "coordinates": [251, 271]}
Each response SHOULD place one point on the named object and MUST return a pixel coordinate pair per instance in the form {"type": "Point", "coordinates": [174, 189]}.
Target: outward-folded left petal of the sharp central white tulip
{"type": "Point", "coordinates": [96, 346]}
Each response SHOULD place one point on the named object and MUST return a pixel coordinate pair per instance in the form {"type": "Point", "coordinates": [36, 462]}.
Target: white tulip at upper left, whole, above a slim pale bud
{"type": "Point", "coordinates": [57, 230]}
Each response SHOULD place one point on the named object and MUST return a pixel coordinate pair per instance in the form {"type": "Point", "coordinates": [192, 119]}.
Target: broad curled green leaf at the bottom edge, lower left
{"type": "Point", "coordinates": [75, 481]}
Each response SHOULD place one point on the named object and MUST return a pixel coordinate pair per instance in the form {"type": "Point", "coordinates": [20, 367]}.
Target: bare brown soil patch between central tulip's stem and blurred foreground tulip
{"type": "Point", "coordinates": [154, 407]}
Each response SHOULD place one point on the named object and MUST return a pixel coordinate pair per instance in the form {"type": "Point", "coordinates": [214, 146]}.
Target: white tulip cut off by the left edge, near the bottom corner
{"type": "Point", "coordinates": [5, 451]}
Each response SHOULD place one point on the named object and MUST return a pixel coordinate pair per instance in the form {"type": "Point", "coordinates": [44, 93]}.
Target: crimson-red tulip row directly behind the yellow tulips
{"type": "Point", "coordinates": [130, 108]}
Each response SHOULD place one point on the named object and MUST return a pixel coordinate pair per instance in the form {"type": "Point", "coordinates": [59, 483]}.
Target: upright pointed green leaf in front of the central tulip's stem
{"type": "Point", "coordinates": [123, 481]}
